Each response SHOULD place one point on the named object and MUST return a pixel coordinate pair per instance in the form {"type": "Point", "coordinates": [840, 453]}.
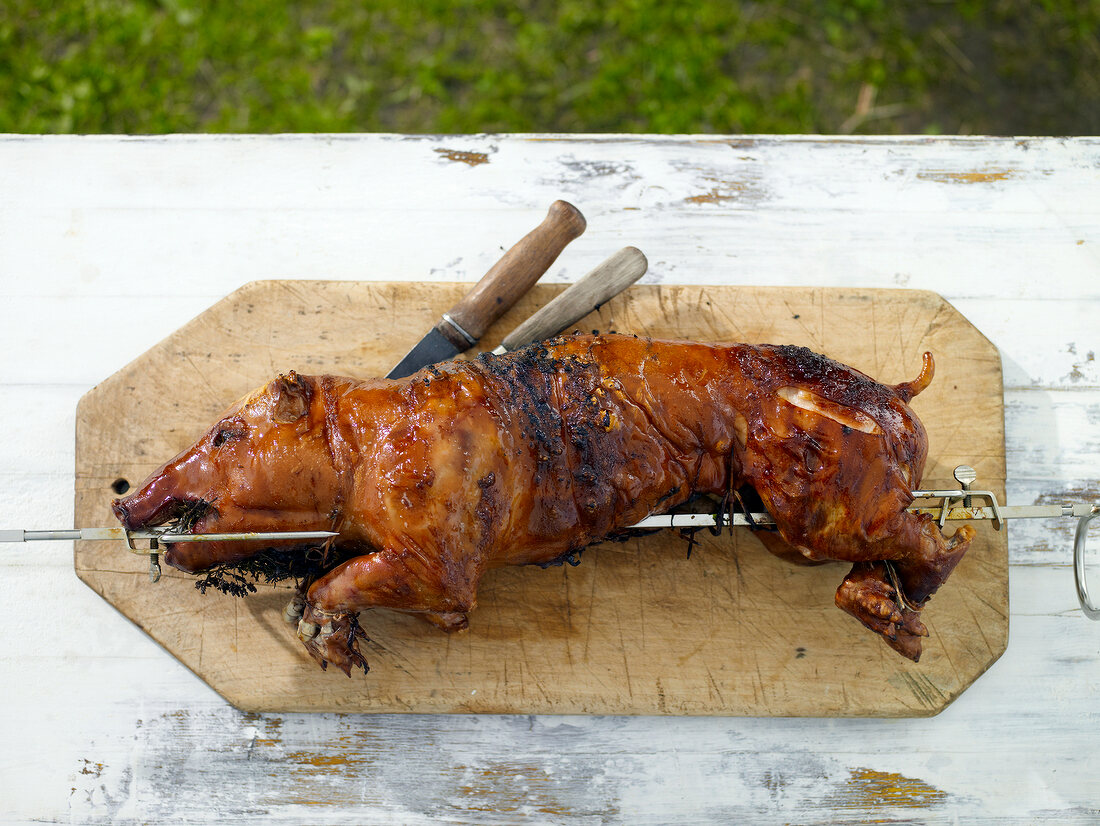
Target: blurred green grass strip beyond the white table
{"type": "Point", "coordinates": [876, 67]}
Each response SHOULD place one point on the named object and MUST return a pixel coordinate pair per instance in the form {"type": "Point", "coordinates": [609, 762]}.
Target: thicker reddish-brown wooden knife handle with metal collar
{"type": "Point", "coordinates": [512, 277]}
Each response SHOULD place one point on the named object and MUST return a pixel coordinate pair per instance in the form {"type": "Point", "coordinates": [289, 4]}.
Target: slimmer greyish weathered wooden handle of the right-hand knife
{"type": "Point", "coordinates": [606, 282]}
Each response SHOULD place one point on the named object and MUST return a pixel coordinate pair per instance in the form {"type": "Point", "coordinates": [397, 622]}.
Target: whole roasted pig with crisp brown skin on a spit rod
{"type": "Point", "coordinates": [530, 457]}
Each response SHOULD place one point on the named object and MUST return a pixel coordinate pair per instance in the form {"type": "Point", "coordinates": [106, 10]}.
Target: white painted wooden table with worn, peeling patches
{"type": "Point", "coordinates": [107, 245]}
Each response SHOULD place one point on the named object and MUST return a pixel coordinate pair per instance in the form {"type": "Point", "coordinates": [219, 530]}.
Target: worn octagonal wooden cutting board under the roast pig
{"type": "Point", "coordinates": [639, 627]}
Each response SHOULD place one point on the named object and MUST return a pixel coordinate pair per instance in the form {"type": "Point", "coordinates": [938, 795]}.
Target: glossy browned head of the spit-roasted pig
{"type": "Point", "coordinates": [265, 466]}
